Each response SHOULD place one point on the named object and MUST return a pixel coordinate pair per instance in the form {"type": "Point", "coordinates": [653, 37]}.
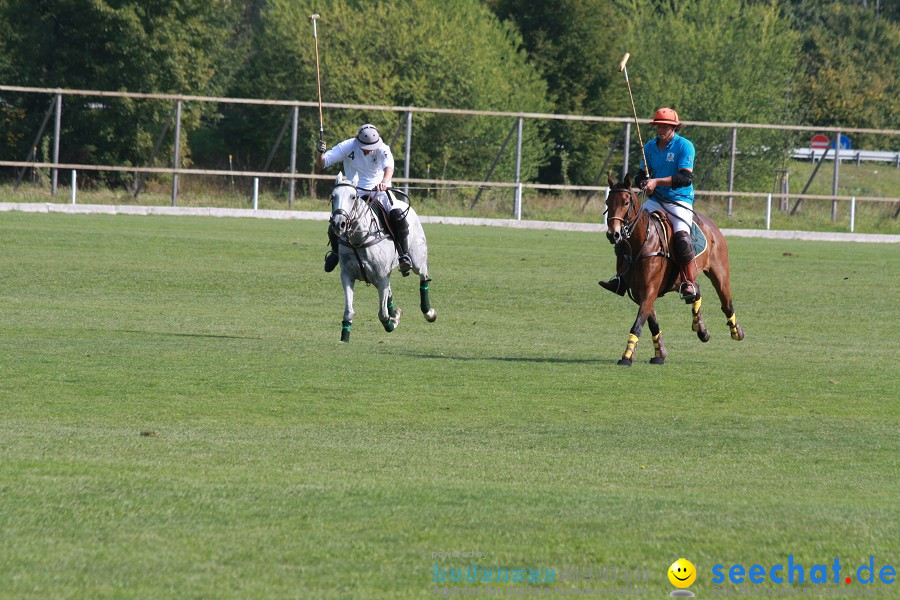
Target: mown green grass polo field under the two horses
{"type": "Point", "coordinates": [179, 420]}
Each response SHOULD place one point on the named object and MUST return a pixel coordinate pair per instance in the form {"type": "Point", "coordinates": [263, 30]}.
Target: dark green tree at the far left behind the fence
{"type": "Point", "coordinates": [173, 46]}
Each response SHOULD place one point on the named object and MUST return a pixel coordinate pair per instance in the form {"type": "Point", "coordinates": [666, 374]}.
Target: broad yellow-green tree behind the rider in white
{"type": "Point", "coordinates": [453, 54]}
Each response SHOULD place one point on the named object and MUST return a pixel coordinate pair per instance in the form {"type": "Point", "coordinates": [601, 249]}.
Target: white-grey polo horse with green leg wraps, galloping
{"type": "Point", "coordinates": [368, 254]}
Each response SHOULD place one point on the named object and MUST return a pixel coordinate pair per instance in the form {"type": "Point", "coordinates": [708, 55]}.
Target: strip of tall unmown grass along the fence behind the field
{"type": "Point", "coordinates": [868, 179]}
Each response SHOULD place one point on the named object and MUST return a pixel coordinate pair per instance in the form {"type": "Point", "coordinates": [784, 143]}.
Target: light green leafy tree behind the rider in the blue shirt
{"type": "Point", "coordinates": [717, 60]}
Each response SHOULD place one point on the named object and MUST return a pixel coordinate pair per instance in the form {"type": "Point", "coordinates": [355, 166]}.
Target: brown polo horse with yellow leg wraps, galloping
{"type": "Point", "coordinates": [650, 272]}
